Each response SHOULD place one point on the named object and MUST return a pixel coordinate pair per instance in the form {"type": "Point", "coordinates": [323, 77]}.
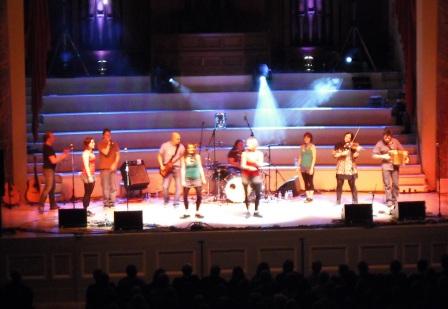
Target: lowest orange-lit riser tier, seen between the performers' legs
{"type": "Point", "coordinates": [324, 180]}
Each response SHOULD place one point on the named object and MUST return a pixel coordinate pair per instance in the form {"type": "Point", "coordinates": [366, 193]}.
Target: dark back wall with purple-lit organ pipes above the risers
{"type": "Point", "coordinates": [127, 31]}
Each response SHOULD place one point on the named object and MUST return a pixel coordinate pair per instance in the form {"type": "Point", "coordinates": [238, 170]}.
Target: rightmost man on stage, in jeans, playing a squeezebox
{"type": "Point", "coordinates": [390, 171]}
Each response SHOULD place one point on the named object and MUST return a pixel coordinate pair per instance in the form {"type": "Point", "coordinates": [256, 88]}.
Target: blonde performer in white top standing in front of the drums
{"type": "Point", "coordinates": [251, 161]}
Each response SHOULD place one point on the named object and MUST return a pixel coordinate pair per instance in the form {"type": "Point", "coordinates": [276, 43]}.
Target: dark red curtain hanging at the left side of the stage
{"type": "Point", "coordinates": [38, 46]}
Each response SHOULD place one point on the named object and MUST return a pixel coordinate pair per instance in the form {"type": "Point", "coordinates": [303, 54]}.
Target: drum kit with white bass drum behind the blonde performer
{"type": "Point", "coordinates": [226, 183]}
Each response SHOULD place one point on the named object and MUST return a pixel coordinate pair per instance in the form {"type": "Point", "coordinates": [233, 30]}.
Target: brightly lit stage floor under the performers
{"type": "Point", "coordinates": [276, 213]}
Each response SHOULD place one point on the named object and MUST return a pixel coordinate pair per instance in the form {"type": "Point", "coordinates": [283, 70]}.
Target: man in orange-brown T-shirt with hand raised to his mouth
{"type": "Point", "coordinates": [109, 159]}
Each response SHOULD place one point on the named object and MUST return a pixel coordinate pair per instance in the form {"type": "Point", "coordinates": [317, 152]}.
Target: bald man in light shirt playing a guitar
{"type": "Point", "coordinates": [169, 161]}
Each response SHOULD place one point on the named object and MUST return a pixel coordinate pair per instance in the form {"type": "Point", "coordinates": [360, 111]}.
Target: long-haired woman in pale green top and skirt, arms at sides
{"type": "Point", "coordinates": [193, 176]}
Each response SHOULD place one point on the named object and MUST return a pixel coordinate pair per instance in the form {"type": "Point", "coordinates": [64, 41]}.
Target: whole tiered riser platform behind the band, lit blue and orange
{"type": "Point", "coordinates": [142, 120]}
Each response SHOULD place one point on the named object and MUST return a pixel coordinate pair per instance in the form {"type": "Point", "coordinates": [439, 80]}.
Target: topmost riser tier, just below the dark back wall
{"type": "Point", "coordinates": [213, 83]}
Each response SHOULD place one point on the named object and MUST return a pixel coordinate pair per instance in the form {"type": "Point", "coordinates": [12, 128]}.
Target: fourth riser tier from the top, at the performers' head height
{"type": "Point", "coordinates": [285, 136]}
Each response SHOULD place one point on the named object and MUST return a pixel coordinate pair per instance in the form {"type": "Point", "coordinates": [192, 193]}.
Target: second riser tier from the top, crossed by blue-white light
{"type": "Point", "coordinates": [211, 101]}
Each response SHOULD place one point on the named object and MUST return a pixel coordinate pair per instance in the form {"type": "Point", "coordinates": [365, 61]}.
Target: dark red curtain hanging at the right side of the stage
{"type": "Point", "coordinates": [406, 15]}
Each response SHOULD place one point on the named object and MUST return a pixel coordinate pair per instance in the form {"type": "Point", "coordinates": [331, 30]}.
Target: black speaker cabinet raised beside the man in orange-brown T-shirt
{"type": "Point", "coordinates": [134, 175]}
